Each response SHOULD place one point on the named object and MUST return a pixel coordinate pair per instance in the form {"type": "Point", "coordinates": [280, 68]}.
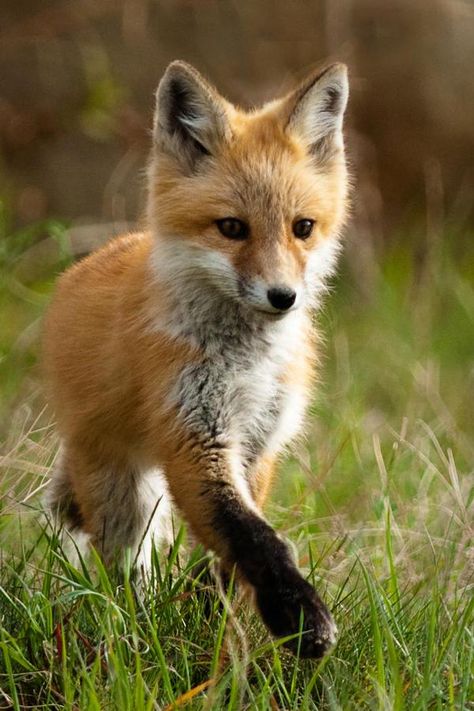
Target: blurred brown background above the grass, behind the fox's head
{"type": "Point", "coordinates": [77, 79]}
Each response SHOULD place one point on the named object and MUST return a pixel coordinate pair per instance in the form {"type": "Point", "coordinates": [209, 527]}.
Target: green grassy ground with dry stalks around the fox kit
{"type": "Point", "coordinates": [378, 505]}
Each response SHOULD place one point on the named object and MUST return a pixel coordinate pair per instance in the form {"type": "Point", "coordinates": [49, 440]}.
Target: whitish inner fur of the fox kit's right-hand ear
{"type": "Point", "coordinates": [320, 110]}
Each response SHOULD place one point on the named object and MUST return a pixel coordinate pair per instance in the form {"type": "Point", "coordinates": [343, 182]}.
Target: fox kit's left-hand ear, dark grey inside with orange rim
{"type": "Point", "coordinates": [190, 117]}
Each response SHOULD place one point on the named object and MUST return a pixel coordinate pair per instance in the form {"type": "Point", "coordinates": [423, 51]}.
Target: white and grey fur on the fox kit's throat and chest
{"type": "Point", "coordinates": [238, 393]}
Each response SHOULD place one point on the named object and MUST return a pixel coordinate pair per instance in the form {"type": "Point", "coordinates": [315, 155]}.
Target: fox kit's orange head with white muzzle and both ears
{"type": "Point", "coordinates": [250, 203]}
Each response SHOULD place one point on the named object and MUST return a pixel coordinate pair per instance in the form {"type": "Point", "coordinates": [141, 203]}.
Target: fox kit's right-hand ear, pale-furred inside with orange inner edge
{"type": "Point", "coordinates": [315, 111]}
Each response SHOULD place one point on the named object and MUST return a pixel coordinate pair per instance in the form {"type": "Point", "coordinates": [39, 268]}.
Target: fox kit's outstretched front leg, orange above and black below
{"type": "Point", "coordinates": [206, 483]}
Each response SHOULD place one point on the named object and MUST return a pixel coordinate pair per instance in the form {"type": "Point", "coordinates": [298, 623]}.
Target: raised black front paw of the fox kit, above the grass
{"type": "Point", "coordinates": [292, 606]}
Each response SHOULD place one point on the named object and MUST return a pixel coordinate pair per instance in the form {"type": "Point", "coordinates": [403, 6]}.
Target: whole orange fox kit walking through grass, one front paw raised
{"type": "Point", "coordinates": [180, 359]}
